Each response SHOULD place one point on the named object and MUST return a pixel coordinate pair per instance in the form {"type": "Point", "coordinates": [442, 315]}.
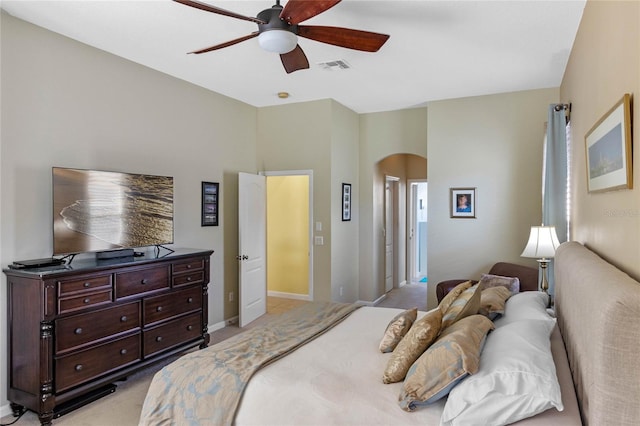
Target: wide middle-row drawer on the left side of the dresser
{"type": "Point", "coordinates": [78, 330]}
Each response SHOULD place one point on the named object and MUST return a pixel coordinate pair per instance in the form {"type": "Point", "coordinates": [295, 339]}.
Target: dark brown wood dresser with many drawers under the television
{"type": "Point", "coordinates": [75, 329]}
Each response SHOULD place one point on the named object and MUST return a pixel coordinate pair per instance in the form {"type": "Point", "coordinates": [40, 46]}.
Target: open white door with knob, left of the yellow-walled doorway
{"type": "Point", "coordinates": [252, 216]}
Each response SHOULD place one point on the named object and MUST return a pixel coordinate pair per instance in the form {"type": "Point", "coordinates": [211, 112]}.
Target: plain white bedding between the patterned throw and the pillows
{"type": "Point", "coordinates": [337, 380]}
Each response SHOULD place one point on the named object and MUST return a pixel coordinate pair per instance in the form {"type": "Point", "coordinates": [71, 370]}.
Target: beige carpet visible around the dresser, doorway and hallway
{"type": "Point", "coordinates": [124, 406]}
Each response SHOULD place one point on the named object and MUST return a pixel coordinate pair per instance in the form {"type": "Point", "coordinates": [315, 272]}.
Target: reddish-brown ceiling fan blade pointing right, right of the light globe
{"type": "Point", "coordinates": [344, 37]}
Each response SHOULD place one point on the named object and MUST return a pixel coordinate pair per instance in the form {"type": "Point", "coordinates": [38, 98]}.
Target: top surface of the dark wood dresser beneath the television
{"type": "Point", "coordinates": [92, 264]}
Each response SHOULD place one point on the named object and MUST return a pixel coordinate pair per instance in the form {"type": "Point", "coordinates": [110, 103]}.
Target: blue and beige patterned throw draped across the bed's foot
{"type": "Point", "coordinates": [206, 386]}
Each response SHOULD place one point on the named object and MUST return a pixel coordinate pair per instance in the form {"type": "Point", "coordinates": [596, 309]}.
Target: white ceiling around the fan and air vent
{"type": "Point", "coordinates": [437, 49]}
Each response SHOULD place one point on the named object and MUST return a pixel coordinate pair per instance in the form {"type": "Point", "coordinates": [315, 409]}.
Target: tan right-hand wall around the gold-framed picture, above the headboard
{"type": "Point", "coordinates": [604, 65]}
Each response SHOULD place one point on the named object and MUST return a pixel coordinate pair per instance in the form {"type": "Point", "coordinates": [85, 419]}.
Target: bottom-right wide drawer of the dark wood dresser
{"type": "Point", "coordinates": [172, 333]}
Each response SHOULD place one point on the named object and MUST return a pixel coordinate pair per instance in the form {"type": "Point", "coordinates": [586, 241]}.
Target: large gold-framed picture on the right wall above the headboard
{"type": "Point", "coordinates": [608, 149]}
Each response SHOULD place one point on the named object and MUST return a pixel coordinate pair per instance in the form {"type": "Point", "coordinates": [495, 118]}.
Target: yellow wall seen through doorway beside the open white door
{"type": "Point", "coordinates": [288, 234]}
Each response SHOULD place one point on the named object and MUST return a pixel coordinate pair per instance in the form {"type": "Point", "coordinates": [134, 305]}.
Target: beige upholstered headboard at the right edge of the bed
{"type": "Point", "coordinates": [598, 310]}
